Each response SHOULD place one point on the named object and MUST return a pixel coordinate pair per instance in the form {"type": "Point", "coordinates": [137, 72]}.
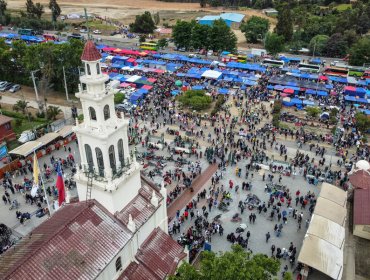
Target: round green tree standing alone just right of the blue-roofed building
{"type": "Point", "coordinates": [255, 28]}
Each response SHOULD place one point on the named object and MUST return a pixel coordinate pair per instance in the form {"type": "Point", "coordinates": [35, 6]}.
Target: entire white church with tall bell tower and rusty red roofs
{"type": "Point", "coordinates": [118, 229]}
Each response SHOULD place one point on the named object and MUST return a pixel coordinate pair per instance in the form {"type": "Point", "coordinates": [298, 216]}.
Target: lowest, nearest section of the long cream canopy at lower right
{"type": "Point", "coordinates": [322, 255]}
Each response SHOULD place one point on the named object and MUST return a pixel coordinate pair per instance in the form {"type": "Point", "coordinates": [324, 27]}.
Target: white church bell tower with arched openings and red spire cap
{"type": "Point", "coordinates": [109, 172]}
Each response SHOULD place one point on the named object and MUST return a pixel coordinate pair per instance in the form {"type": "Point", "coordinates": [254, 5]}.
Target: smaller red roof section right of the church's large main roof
{"type": "Point", "coordinates": [160, 253]}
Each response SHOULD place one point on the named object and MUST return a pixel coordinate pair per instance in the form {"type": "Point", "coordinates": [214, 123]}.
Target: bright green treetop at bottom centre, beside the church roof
{"type": "Point", "coordinates": [236, 264]}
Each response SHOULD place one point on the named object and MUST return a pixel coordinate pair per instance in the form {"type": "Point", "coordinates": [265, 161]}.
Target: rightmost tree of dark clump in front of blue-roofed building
{"type": "Point", "coordinates": [222, 38]}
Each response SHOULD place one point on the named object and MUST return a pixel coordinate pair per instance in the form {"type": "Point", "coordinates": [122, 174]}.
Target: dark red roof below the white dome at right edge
{"type": "Point", "coordinates": [361, 207]}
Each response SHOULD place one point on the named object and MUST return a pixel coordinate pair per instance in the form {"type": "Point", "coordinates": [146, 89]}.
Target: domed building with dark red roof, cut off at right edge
{"type": "Point", "coordinates": [360, 180]}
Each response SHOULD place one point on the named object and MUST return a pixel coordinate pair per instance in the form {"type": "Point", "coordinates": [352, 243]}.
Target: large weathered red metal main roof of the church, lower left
{"type": "Point", "coordinates": [77, 242]}
